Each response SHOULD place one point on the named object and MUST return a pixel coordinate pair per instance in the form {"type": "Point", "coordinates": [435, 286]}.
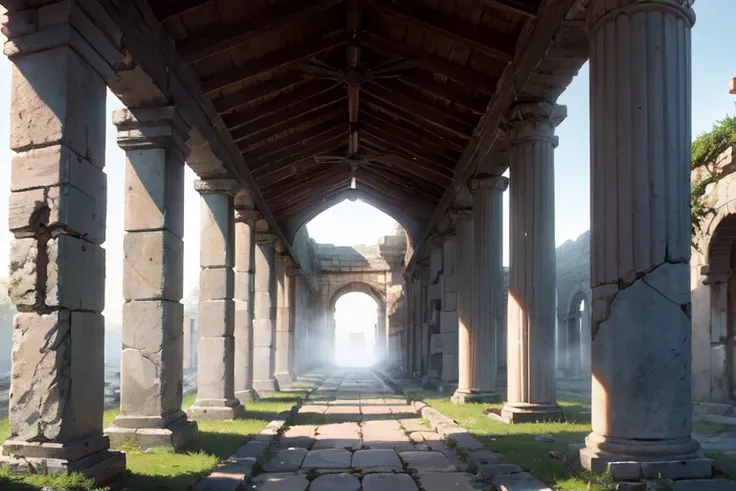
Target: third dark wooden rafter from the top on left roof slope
{"type": "Point", "coordinates": [312, 96]}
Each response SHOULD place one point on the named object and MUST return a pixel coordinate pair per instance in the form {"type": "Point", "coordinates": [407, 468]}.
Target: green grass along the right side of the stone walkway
{"type": "Point", "coordinates": [517, 444]}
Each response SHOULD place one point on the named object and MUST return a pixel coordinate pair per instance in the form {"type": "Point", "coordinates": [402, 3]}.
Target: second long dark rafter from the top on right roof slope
{"type": "Point", "coordinates": [389, 47]}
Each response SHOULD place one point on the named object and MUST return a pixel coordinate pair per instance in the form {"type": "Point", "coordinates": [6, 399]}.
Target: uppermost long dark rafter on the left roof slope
{"type": "Point", "coordinates": [210, 42]}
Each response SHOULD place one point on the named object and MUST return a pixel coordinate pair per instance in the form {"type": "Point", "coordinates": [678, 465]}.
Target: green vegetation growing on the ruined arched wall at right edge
{"type": "Point", "coordinates": [706, 149]}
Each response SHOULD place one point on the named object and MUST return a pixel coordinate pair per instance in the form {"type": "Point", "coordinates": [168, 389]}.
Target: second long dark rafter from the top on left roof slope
{"type": "Point", "coordinates": [287, 56]}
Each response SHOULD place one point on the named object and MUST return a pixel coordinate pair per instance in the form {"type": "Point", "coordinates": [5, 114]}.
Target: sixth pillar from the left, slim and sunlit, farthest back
{"type": "Point", "coordinates": [285, 277]}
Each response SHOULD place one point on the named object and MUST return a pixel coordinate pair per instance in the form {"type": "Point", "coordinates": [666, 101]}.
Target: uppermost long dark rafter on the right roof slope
{"type": "Point", "coordinates": [496, 45]}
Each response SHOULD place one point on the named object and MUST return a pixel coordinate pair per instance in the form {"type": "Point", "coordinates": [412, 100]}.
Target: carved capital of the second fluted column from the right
{"type": "Point", "coordinates": [535, 121]}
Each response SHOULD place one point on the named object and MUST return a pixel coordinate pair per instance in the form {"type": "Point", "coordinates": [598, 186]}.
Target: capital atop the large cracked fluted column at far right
{"type": "Point", "coordinates": [600, 10]}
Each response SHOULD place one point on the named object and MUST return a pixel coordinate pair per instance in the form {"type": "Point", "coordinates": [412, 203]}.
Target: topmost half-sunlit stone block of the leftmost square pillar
{"type": "Point", "coordinates": [68, 108]}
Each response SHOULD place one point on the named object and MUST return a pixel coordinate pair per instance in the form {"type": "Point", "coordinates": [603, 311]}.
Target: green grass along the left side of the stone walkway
{"type": "Point", "coordinates": [167, 471]}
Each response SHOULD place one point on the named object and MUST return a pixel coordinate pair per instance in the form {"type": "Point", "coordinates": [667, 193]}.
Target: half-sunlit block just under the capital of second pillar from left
{"type": "Point", "coordinates": [154, 191]}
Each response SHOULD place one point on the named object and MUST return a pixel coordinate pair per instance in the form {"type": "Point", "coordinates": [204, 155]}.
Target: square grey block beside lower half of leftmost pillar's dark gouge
{"type": "Point", "coordinates": [75, 274]}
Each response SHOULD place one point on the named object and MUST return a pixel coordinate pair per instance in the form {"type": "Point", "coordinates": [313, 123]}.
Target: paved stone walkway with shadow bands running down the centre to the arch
{"type": "Point", "coordinates": [355, 434]}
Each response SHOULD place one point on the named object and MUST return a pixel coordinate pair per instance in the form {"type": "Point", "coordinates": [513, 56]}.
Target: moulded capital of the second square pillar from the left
{"type": "Point", "coordinates": [151, 127]}
